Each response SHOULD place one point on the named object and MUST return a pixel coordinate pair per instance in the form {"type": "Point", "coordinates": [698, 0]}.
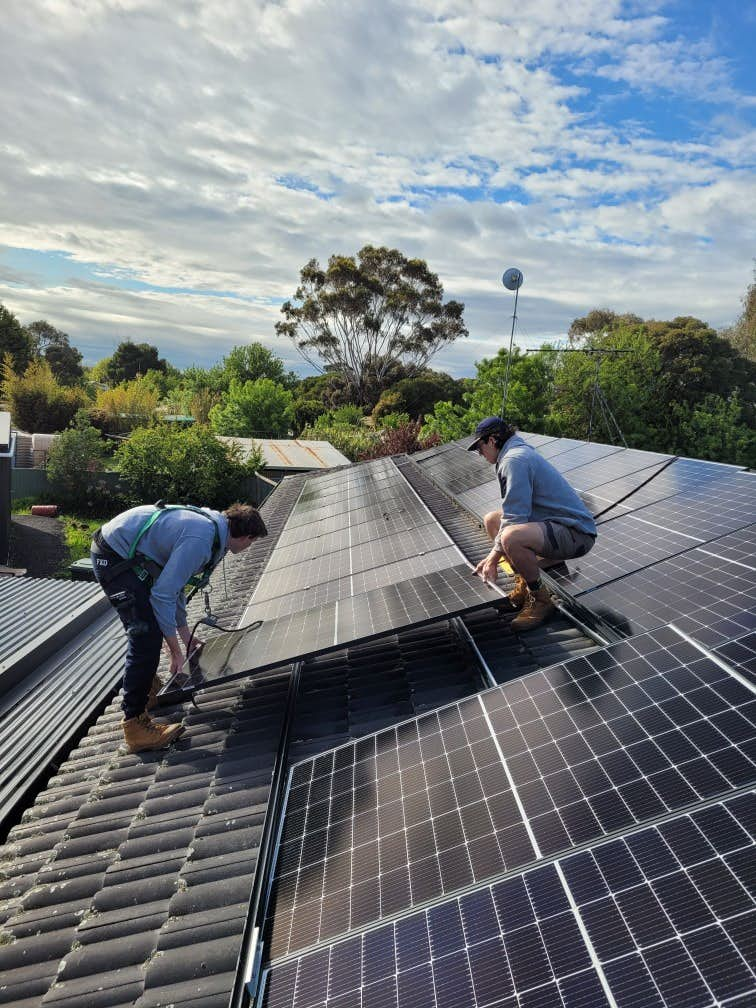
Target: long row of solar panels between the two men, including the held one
{"type": "Point", "coordinates": [360, 556]}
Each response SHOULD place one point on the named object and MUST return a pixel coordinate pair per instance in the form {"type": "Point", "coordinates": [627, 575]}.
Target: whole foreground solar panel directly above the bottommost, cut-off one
{"type": "Point", "coordinates": [598, 744]}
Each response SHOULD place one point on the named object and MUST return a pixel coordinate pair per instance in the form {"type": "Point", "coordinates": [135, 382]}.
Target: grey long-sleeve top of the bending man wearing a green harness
{"type": "Point", "coordinates": [181, 543]}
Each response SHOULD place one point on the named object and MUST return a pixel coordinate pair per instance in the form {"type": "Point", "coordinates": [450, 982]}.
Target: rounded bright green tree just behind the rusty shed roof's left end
{"type": "Point", "coordinates": [255, 409]}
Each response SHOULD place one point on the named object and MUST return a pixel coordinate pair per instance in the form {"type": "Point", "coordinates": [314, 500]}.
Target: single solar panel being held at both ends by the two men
{"type": "Point", "coordinates": [413, 602]}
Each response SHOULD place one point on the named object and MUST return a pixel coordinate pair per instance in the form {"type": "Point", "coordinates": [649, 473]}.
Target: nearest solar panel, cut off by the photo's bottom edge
{"type": "Point", "coordinates": [662, 918]}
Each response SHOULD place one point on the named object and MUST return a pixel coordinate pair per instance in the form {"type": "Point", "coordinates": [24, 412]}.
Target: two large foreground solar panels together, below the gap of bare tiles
{"type": "Point", "coordinates": [435, 863]}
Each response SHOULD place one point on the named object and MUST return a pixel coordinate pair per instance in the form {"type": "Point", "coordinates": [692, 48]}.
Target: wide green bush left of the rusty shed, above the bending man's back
{"type": "Point", "coordinates": [188, 465]}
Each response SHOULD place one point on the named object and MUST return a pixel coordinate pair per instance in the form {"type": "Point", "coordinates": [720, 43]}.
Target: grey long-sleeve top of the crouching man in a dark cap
{"type": "Point", "coordinates": [533, 490]}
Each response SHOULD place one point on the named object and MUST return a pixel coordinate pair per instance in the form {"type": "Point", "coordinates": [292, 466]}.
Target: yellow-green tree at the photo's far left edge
{"type": "Point", "coordinates": [38, 403]}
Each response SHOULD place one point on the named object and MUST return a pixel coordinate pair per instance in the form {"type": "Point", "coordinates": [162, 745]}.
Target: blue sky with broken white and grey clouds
{"type": "Point", "coordinates": [168, 169]}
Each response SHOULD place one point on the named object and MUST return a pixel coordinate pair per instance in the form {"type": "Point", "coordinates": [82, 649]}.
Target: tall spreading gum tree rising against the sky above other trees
{"type": "Point", "coordinates": [365, 313]}
